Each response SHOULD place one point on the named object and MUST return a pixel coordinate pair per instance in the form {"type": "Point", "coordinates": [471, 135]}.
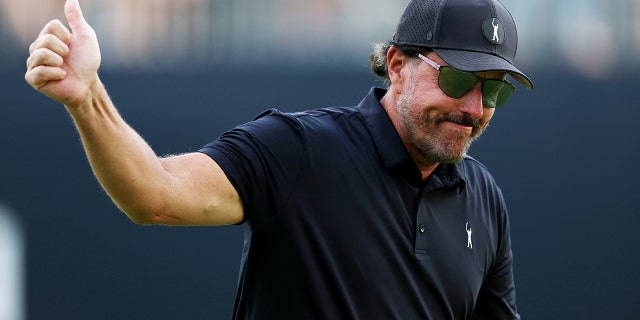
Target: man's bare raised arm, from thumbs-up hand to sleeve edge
{"type": "Point", "coordinates": [189, 189]}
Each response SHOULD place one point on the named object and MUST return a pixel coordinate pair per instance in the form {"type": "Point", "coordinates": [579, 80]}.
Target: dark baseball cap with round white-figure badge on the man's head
{"type": "Point", "coordinates": [470, 35]}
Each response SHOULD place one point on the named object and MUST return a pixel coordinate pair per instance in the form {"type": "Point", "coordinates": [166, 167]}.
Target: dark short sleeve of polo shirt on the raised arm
{"type": "Point", "coordinates": [261, 158]}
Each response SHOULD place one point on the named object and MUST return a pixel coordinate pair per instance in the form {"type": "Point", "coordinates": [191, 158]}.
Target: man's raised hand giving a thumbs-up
{"type": "Point", "coordinates": [64, 65]}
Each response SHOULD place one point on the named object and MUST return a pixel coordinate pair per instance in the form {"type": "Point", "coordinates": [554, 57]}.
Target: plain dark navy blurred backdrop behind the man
{"type": "Point", "coordinates": [565, 155]}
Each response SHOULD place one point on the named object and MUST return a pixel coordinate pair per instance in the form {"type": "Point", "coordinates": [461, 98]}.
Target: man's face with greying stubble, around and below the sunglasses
{"type": "Point", "coordinates": [435, 127]}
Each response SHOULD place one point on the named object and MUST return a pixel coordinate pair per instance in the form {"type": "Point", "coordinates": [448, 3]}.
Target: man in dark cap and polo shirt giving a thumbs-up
{"type": "Point", "coordinates": [370, 212]}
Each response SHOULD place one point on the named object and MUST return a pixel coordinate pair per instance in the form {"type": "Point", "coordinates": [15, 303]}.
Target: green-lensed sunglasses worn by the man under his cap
{"type": "Point", "coordinates": [456, 83]}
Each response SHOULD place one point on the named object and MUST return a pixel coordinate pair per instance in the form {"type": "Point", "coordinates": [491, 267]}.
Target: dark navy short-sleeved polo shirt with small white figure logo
{"type": "Point", "coordinates": [339, 224]}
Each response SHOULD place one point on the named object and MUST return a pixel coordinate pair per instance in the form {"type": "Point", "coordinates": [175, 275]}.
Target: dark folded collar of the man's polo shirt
{"type": "Point", "coordinates": [390, 147]}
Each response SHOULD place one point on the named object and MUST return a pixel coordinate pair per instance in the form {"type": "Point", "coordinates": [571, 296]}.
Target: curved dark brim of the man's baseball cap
{"type": "Point", "coordinates": [472, 61]}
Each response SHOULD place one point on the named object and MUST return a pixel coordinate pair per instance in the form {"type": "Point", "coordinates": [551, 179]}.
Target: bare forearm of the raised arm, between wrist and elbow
{"type": "Point", "coordinates": [124, 164]}
